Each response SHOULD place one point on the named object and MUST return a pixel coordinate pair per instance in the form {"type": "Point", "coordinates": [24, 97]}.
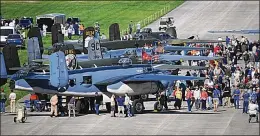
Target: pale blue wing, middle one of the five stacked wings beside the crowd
{"type": "Point", "coordinates": [180, 57]}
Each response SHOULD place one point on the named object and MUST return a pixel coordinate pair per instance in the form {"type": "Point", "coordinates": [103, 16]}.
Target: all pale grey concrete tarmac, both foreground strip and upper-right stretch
{"type": "Point", "coordinates": [191, 18]}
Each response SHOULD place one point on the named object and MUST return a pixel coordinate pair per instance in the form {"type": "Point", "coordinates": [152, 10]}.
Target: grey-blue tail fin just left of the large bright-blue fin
{"type": "Point", "coordinates": [33, 50]}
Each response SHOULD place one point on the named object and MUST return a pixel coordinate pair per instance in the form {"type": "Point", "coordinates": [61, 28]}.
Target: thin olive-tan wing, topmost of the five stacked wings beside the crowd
{"type": "Point", "coordinates": [182, 41]}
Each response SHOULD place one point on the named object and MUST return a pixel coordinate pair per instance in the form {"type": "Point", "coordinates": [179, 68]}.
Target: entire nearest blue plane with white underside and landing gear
{"type": "Point", "coordinates": [134, 79]}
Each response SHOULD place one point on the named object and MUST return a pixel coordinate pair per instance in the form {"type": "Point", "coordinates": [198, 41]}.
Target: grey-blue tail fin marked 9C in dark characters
{"type": "Point", "coordinates": [94, 49]}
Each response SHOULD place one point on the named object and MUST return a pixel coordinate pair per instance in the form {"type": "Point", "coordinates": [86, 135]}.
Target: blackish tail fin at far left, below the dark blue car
{"type": "Point", "coordinates": [11, 59]}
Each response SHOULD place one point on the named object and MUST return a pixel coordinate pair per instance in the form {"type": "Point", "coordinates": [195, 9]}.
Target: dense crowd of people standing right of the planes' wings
{"type": "Point", "coordinates": [227, 82]}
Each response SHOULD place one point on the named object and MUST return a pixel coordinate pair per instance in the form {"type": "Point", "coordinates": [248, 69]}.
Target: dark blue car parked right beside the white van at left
{"type": "Point", "coordinates": [15, 40]}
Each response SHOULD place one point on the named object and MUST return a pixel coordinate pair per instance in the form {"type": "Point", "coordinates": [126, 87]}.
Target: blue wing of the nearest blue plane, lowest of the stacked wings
{"type": "Point", "coordinates": [156, 77]}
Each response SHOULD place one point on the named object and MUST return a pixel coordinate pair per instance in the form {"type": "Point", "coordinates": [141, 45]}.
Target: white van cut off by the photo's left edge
{"type": "Point", "coordinates": [4, 32]}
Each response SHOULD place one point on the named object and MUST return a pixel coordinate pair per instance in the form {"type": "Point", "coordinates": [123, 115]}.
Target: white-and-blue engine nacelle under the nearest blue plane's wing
{"type": "Point", "coordinates": [119, 88]}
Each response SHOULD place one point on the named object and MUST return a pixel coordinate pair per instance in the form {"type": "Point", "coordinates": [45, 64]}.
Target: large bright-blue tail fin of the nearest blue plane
{"type": "Point", "coordinates": [59, 76]}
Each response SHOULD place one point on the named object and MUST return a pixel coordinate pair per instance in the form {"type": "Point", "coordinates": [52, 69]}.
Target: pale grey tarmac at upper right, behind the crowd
{"type": "Point", "coordinates": [198, 17]}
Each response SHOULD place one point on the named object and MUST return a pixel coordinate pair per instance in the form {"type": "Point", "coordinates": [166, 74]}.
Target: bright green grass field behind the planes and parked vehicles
{"type": "Point", "coordinates": [89, 12]}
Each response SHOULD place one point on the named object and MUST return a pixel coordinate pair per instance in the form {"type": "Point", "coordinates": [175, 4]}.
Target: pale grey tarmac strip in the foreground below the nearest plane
{"type": "Point", "coordinates": [227, 121]}
